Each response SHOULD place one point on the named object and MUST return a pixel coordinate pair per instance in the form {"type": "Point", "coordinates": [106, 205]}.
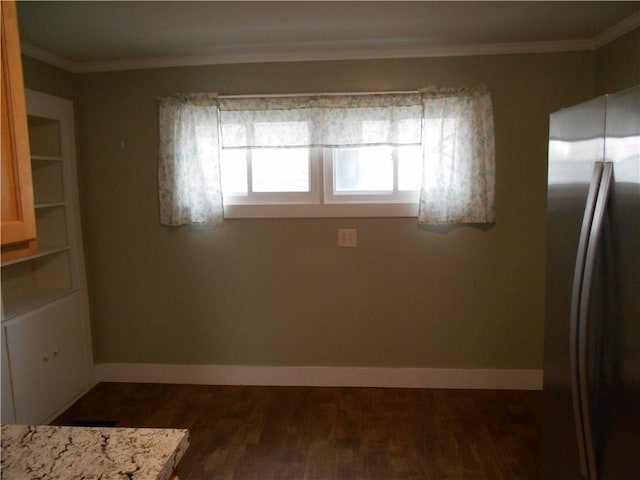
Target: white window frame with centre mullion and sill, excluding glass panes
{"type": "Point", "coordinates": [321, 201]}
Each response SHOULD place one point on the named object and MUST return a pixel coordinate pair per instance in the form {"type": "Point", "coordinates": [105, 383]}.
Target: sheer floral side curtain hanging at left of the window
{"type": "Point", "coordinates": [189, 161]}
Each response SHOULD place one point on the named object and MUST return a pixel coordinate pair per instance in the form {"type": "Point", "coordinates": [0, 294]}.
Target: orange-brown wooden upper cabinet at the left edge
{"type": "Point", "coordinates": [18, 220]}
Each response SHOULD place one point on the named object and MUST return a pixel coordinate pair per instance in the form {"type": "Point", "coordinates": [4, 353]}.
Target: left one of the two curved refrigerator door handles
{"type": "Point", "coordinates": [574, 323]}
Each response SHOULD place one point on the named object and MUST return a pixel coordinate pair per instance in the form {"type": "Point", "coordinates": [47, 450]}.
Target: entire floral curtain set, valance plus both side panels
{"type": "Point", "coordinates": [454, 127]}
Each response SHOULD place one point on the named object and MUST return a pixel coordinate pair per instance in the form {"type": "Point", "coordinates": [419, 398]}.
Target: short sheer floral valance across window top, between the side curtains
{"type": "Point", "coordinates": [321, 121]}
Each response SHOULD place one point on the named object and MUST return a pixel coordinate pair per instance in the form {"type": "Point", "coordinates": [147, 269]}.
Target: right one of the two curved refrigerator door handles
{"type": "Point", "coordinates": [583, 322]}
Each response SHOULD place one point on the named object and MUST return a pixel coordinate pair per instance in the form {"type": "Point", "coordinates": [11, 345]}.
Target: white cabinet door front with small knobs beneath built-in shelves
{"type": "Point", "coordinates": [48, 359]}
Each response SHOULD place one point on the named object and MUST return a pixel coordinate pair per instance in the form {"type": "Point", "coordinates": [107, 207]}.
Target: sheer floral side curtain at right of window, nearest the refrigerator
{"type": "Point", "coordinates": [458, 156]}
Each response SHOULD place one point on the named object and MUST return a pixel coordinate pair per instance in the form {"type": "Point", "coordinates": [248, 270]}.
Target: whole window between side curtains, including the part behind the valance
{"type": "Point", "coordinates": [320, 156]}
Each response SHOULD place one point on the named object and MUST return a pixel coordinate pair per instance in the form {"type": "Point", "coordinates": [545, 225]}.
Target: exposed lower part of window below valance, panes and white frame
{"type": "Point", "coordinates": [321, 181]}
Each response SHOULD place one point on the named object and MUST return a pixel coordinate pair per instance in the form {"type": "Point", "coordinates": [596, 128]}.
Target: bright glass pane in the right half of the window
{"type": "Point", "coordinates": [365, 169]}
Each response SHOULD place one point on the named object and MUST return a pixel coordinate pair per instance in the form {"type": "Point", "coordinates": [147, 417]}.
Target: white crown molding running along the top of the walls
{"type": "Point", "coordinates": [304, 52]}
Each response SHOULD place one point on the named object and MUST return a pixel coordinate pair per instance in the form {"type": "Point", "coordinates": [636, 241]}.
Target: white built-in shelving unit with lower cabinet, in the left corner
{"type": "Point", "coordinates": [45, 310]}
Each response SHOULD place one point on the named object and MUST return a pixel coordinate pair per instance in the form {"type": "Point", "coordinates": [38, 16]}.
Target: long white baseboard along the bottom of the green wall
{"type": "Point", "coordinates": [321, 376]}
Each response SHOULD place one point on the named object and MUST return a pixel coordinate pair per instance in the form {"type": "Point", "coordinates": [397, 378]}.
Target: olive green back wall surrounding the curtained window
{"type": "Point", "coordinates": [280, 291]}
